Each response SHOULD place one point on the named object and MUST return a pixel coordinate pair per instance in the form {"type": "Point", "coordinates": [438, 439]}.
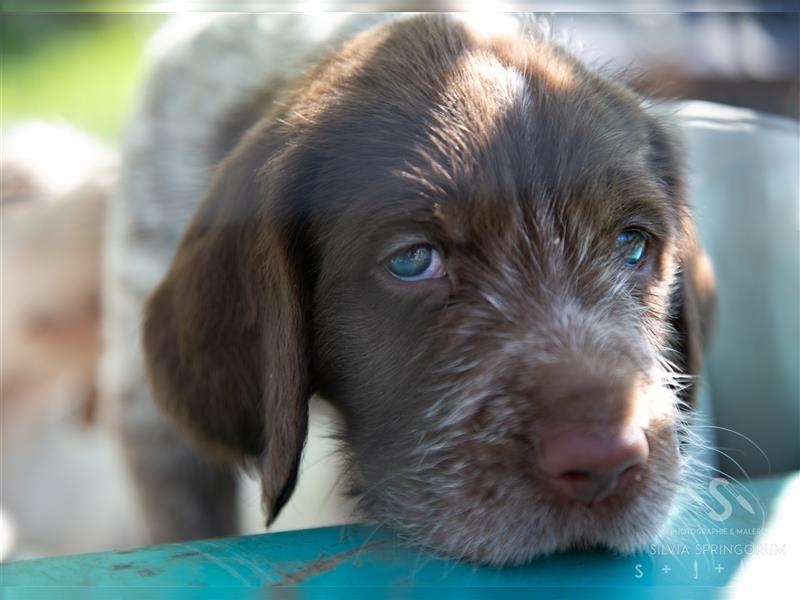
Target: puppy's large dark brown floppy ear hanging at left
{"type": "Point", "coordinates": [225, 333]}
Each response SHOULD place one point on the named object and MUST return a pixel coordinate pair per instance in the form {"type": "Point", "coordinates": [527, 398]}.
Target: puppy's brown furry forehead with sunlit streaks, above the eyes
{"type": "Point", "coordinates": [438, 114]}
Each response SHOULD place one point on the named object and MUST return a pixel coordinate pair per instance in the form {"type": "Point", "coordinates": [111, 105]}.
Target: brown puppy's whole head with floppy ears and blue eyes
{"type": "Point", "coordinates": [481, 253]}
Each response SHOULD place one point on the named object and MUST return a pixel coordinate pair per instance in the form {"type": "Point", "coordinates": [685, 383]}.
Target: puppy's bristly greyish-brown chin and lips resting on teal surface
{"type": "Point", "coordinates": [502, 518]}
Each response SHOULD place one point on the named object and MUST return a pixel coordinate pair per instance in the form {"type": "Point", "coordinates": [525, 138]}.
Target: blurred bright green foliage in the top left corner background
{"type": "Point", "coordinates": [79, 67]}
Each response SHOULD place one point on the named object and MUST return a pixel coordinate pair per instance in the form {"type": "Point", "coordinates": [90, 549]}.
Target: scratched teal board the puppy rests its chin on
{"type": "Point", "coordinates": [757, 534]}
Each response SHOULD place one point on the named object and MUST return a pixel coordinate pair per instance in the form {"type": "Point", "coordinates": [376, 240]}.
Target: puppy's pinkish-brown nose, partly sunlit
{"type": "Point", "coordinates": [588, 465]}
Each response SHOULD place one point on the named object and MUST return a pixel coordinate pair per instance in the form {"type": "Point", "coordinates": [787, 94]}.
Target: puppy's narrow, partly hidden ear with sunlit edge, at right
{"type": "Point", "coordinates": [693, 301]}
